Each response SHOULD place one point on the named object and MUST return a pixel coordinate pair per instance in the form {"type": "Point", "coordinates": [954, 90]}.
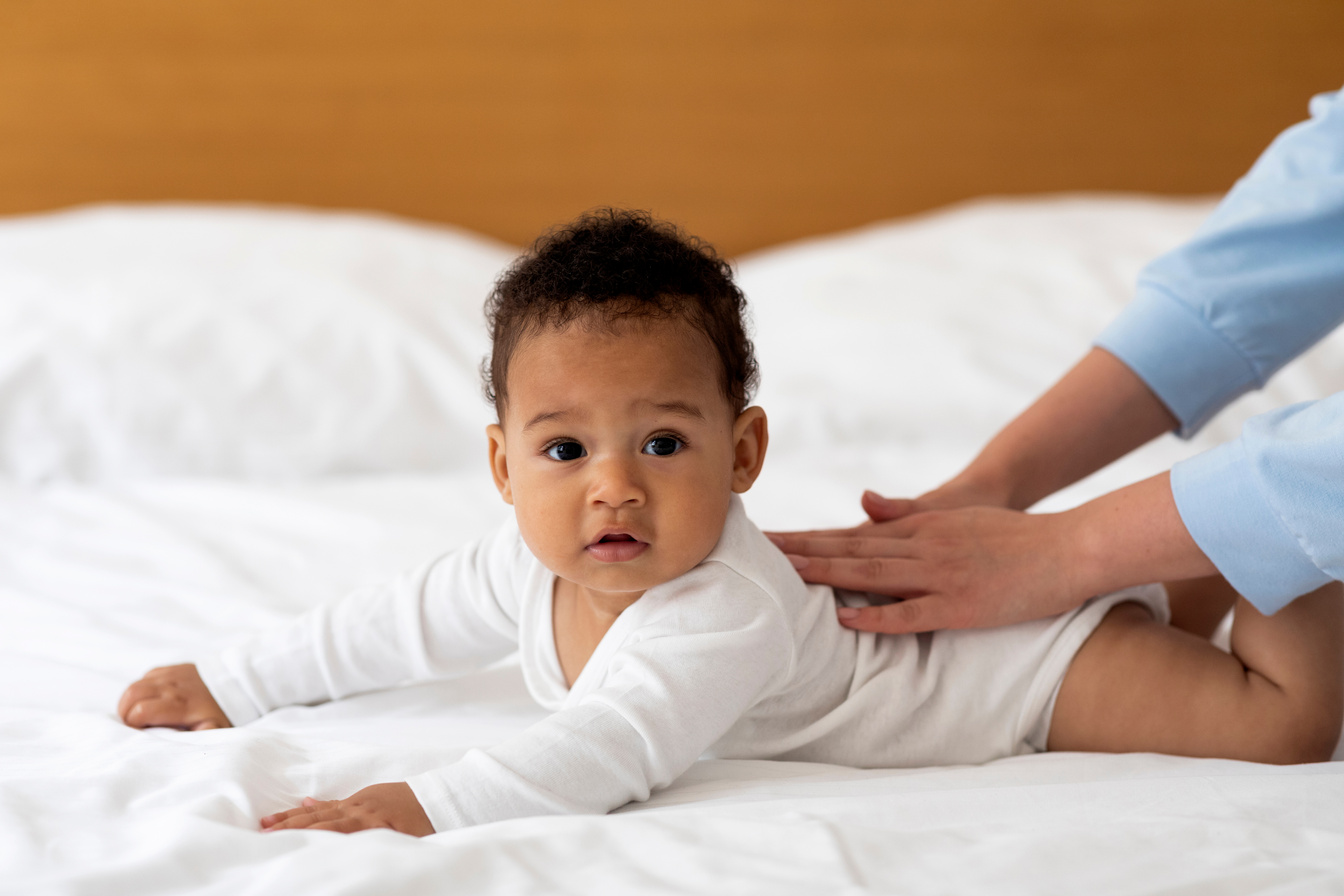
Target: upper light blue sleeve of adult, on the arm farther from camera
{"type": "Point", "coordinates": [1260, 283]}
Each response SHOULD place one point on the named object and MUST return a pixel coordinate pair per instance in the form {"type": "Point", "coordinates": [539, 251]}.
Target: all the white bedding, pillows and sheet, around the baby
{"type": "Point", "coordinates": [213, 418]}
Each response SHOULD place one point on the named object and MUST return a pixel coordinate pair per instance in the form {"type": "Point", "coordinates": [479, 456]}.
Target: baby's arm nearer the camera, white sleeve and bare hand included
{"type": "Point", "coordinates": [662, 703]}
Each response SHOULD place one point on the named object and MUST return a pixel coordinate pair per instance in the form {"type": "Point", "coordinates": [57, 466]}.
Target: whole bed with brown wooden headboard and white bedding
{"type": "Point", "coordinates": [225, 398]}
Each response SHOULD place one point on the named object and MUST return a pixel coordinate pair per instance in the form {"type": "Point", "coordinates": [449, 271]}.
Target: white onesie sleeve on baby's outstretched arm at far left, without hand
{"type": "Point", "coordinates": [447, 617]}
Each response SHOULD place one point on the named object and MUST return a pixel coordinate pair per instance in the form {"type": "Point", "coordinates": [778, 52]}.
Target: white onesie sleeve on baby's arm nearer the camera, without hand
{"type": "Point", "coordinates": [691, 659]}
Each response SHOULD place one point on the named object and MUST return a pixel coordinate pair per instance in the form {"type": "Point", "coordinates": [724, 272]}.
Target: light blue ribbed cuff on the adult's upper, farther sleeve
{"type": "Point", "coordinates": [1186, 362]}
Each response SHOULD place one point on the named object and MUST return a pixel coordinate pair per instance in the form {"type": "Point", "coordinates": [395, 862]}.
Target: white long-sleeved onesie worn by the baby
{"type": "Point", "coordinates": [737, 659]}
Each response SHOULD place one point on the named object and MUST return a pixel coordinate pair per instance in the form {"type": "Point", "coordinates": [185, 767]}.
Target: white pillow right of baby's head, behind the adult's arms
{"type": "Point", "coordinates": [892, 354]}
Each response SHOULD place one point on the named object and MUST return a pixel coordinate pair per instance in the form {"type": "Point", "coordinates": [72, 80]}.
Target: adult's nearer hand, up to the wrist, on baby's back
{"type": "Point", "coordinates": [960, 569]}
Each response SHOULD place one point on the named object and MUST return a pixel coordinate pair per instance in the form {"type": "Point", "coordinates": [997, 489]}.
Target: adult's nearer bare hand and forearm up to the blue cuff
{"type": "Point", "coordinates": [983, 566]}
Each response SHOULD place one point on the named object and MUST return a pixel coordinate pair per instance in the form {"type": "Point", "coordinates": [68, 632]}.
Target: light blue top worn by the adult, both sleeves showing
{"type": "Point", "coordinates": [1259, 284]}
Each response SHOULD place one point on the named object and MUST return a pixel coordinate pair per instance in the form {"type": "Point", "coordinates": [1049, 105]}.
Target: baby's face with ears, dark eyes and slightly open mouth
{"type": "Point", "coordinates": [619, 452]}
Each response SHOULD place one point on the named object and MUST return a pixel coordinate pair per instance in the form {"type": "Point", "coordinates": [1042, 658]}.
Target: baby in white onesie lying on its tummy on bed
{"type": "Point", "coordinates": [661, 625]}
